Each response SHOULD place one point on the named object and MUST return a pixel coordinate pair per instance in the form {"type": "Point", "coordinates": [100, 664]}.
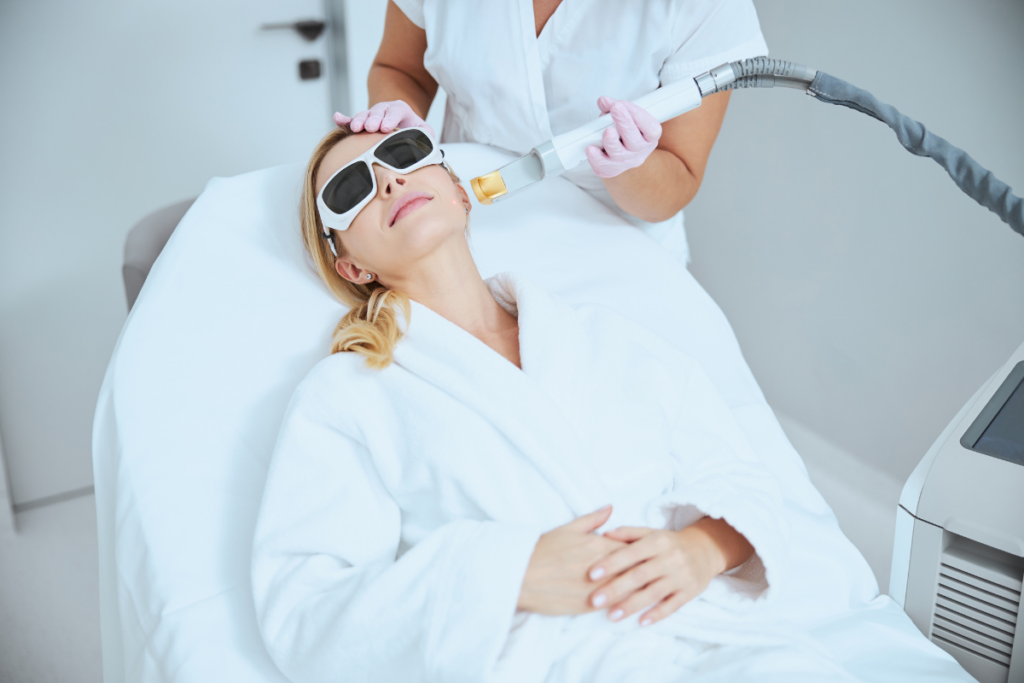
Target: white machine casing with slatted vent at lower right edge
{"type": "Point", "coordinates": [959, 550]}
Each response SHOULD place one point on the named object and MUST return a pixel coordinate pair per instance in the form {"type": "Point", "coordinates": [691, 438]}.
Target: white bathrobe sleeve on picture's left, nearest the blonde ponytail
{"type": "Point", "coordinates": [335, 602]}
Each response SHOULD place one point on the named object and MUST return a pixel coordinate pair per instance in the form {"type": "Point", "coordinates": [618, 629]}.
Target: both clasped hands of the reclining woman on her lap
{"type": "Point", "coordinates": [574, 571]}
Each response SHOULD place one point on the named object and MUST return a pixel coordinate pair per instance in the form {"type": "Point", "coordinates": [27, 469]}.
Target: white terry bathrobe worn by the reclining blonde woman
{"type": "Point", "coordinates": [403, 506]}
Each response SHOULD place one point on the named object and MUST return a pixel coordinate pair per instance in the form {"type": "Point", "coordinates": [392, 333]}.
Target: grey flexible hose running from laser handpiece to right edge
{"type": "Point", "coordinates": [976, 182]}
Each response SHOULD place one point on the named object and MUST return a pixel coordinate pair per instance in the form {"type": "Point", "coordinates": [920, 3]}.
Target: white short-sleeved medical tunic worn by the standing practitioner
{"type": "Point", "coordinates": [510, 89]}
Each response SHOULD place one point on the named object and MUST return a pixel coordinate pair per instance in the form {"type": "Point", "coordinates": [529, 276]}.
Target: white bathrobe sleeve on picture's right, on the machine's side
{"type": "Point", "coordinates": [718, 474]}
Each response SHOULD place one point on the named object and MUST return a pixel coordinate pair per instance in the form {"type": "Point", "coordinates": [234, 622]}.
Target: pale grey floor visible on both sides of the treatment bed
{"type": "Point", "coordinates": [50, 604]}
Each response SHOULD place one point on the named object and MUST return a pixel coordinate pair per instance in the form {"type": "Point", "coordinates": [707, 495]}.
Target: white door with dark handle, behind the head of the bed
{"type": "Point", "coordinates": [112, 109]}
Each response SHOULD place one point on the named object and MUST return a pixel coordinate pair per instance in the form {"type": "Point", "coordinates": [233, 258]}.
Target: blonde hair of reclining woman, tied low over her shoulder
{"type": "Point", "coordinates": [371, 326]}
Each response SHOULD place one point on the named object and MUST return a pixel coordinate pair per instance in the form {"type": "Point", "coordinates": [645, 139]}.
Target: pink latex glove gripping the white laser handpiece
{"type": "Point", "coordinates": [629, 143]}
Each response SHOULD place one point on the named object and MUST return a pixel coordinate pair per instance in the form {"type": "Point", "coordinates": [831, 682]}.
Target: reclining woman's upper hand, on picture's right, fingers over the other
{"type": "Point", "coordinates": [669, 569]}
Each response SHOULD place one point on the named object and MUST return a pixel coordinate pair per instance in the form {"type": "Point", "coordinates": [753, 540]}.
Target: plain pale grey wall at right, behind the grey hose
{"type": "Point", "coordinates": [871, 297]}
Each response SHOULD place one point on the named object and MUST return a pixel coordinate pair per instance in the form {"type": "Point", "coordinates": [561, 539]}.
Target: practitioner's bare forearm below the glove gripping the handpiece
{"type": "Point", "coordinates": [657, 190]}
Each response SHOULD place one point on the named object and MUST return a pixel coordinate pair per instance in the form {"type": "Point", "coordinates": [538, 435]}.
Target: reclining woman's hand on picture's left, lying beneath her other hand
{"type": "Point", "coordinates": [557, 581]}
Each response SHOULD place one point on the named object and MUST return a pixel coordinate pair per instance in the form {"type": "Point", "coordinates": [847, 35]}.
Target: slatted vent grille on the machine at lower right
{"type": "Point", "coordinates": [977, 603]}
